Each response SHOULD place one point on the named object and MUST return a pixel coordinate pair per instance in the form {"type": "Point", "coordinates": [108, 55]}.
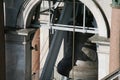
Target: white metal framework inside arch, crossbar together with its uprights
{"type": "Point", "coordinates": [48, 23]}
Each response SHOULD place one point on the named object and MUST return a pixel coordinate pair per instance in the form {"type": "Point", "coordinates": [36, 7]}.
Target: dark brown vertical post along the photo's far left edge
{"type": "Point", "coordinates": [2, 43]}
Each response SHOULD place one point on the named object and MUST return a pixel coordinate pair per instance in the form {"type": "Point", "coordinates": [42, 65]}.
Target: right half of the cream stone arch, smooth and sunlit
{"type": "Point", "coordinates": [99, 17]}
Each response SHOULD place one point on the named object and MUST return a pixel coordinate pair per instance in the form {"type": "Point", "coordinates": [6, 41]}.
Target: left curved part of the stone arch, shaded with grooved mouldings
{"type": "Point", "coordinates": [28, 7]}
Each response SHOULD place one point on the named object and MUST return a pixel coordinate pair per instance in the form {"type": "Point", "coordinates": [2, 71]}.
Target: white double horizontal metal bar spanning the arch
{"type": "Point", "coordinates": [68, 28]}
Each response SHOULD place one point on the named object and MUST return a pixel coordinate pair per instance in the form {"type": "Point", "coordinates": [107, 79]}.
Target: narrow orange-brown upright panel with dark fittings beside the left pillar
{"type": "Point", "coordinates": [36, 55]}
